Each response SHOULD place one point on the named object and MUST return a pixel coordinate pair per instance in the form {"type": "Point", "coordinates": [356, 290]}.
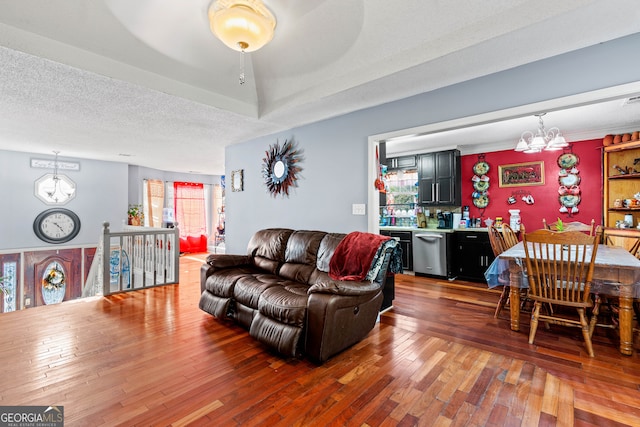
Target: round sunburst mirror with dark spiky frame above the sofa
{"type": "Point", "coordinates": [280, 167]}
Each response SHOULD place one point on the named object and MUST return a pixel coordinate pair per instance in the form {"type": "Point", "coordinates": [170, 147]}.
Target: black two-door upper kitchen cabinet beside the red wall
{"type": "Point", "coordinates": [439, 176]}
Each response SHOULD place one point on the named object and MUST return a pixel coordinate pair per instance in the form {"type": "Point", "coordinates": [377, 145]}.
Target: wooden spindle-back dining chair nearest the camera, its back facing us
{"type": "Point", "coordinates": [560, 269]}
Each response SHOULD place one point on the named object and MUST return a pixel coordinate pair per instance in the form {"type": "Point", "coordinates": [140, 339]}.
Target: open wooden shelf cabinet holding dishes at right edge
{"type": "Point", "coordinates": [622, 183]}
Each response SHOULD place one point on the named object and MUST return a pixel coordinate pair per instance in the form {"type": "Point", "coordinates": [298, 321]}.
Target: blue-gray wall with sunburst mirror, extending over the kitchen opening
{"type": "Point", "coordinates": [335, 166]}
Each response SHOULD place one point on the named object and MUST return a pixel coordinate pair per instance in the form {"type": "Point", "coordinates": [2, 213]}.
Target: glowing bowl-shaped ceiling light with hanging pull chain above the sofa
{"type": "Point", "coordinates": [242, 25]}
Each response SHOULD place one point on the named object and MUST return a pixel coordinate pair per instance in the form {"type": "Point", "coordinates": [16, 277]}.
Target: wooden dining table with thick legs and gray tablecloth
{"type": "Point", "coordinates": [616, 273]}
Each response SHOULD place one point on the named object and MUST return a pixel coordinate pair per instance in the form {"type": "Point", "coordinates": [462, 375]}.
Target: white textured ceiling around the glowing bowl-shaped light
{"type": "Point", "coordinates": [145, 82]}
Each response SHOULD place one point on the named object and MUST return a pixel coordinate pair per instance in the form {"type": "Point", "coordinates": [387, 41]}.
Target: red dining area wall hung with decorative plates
{"type": "Point", "coordinates": [546, 204]}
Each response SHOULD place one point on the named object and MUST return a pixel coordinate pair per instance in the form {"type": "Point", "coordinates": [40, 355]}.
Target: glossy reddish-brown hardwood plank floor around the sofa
{"type": "Point", "coordinates": [438, 357]}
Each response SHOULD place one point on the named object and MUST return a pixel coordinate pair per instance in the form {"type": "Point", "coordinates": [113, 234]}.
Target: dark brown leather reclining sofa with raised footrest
{"type": "Point", "coordinates": [282, 293]}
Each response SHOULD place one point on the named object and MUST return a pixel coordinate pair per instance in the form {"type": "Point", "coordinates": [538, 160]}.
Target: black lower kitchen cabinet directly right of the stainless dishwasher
{"type": "Point", "coordinates": [472, 256]}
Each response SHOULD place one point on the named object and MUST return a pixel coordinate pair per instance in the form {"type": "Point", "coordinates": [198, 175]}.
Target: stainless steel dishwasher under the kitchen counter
{"type": "Point", "coordinates": [430, 253]}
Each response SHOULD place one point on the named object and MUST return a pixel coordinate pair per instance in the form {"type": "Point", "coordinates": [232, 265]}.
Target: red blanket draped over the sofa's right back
{"type": "Point", "coordinates": [353, 256]}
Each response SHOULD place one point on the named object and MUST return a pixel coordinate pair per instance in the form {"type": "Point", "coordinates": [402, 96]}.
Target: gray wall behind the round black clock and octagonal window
{"type": "Point", "coordinates": [99, 197]}
